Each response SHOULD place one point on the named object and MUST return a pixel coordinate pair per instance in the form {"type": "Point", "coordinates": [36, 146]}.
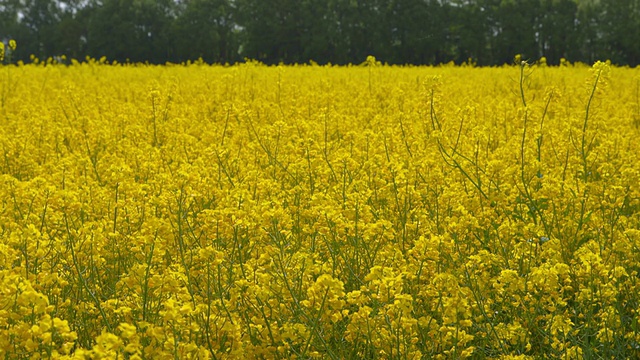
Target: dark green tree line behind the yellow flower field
{"type": "Point", "coordinates": [486, 32]}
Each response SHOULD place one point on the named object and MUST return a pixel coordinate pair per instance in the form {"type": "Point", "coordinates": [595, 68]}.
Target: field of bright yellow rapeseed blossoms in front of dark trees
{"type": "Point", "coordinates": [355, 212]}
